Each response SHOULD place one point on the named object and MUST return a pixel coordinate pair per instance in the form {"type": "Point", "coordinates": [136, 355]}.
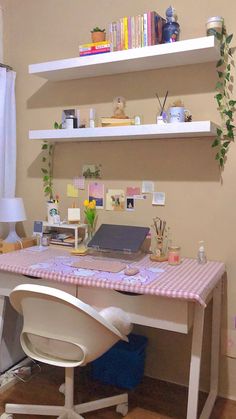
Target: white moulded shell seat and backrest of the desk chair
{"type": "Point", "coordinates": [60, 329]}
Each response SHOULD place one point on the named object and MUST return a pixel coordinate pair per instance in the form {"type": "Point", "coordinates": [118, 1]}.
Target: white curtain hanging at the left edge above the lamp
{"type": "Point", "coordinates": [7, 134]}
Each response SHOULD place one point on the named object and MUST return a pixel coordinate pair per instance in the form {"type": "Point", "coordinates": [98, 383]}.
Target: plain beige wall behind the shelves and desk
{"type": "Point", "coordinates": [199, 204]}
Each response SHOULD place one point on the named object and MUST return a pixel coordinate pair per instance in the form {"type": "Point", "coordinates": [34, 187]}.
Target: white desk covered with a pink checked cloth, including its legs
{"type": "Point", "coordinates": [175, 301]}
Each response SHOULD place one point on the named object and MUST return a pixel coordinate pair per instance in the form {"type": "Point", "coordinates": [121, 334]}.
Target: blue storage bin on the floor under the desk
{"type": "Point", "coordinates": [123, 364]}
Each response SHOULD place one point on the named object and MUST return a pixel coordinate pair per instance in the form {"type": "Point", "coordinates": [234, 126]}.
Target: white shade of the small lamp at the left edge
{"type": "Point", "coordinates": [12, 210]}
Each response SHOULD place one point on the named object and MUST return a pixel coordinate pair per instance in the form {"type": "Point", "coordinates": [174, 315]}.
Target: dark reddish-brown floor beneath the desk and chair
{"type": "Point", "coordinates": [152, 399]}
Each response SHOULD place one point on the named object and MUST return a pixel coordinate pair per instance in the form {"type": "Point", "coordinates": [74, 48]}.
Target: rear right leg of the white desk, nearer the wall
{"type": "Point", "coordinates": [215, 352]}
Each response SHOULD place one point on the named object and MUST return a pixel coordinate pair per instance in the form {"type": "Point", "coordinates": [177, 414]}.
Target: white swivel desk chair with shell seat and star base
{"type": "Point", "coordinates": [61, 330]}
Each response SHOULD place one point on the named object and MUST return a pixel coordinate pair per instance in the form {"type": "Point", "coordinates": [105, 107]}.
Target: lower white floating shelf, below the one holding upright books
{"type": "Point", "coordinates": [132, 132]}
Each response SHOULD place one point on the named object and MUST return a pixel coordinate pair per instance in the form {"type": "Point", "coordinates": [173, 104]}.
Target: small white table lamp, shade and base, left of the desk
{"type": "Point", "coordinates": [11, 211]}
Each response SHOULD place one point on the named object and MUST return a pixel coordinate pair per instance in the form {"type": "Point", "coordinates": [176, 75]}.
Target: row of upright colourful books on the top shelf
{"type": "Point", "coordinates": [136, 31]}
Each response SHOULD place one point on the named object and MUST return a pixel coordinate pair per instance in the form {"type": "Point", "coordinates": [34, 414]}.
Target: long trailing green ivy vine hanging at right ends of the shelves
{"type": "Point", "coordinates": [225, 103]}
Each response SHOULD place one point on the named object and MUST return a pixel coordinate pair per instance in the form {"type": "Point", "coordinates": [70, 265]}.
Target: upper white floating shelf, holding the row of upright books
{"type": "Point", "coordinates": [191, 51]}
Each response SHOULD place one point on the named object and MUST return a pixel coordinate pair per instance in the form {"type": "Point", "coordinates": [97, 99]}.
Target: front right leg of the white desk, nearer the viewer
{"type": "Point", "coordinates": [195, 362]}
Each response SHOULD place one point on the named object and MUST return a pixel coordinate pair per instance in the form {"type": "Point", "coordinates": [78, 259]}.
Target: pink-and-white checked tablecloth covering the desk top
{"type": "Point", "coordinates": [188, 281]}
